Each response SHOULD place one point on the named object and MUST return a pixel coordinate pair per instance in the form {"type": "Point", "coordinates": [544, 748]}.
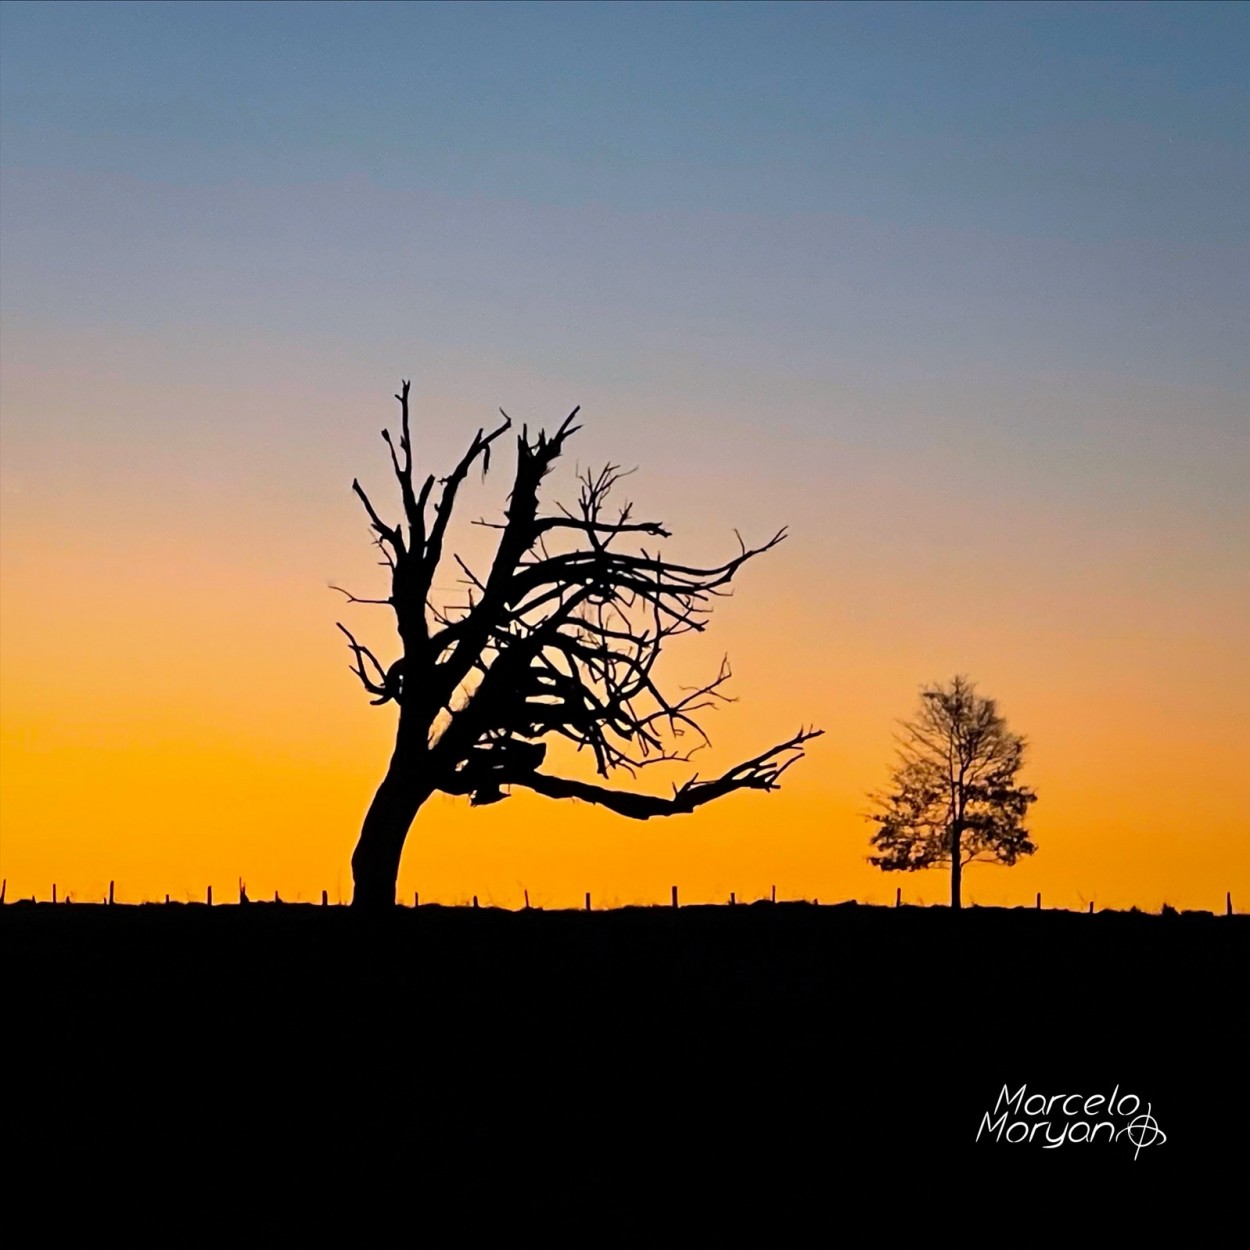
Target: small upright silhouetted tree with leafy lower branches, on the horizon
{"type": "Point", "coordinates": [954, 797]}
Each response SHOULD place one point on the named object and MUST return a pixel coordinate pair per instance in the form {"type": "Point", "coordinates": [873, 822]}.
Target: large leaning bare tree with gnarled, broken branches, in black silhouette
{"type": "Point", "coordinates": [559, 638]}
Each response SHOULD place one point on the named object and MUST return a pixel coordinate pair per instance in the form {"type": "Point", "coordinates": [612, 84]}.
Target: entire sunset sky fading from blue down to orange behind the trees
{"type": "Point", "coordinates": [958, 292]}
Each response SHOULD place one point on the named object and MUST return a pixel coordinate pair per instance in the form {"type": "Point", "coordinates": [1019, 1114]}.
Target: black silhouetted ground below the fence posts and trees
{"type": "Point", "coordinates": [784, 1054]}
